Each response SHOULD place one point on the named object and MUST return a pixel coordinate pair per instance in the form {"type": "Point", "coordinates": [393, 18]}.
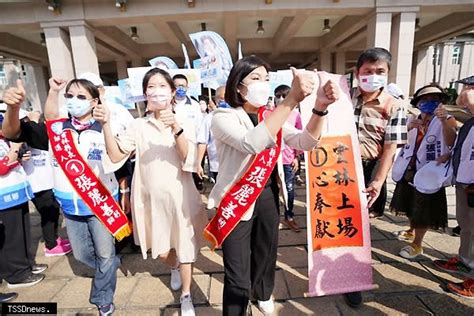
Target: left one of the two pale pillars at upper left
{"type": "Point", "coordinates": [59, 53]}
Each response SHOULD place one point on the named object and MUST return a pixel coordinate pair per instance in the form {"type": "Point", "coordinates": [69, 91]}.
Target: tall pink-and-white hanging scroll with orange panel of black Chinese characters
{"type": "Point", "coordinates": [339, 250]}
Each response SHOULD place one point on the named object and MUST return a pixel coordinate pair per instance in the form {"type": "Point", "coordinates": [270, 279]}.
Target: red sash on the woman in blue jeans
{"type": "Point", "coordinates": [84, 181]}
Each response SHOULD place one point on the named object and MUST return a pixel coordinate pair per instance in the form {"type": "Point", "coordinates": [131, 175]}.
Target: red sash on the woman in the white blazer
{"type": "Point", "coordinates": [243, 193]}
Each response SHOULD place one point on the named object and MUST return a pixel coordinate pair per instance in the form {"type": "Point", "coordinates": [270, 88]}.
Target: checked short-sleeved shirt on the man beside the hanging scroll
{"type": "Point", "coordinates": [379, 121]}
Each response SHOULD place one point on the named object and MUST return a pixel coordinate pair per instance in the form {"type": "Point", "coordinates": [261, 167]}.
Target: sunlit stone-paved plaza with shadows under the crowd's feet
{"type": "Point", "coordinates": [403, 286]}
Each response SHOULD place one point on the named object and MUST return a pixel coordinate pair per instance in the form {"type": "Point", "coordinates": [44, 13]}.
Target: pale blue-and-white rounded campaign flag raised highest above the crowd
{"type": "Point", "coordinates": [216, 61]}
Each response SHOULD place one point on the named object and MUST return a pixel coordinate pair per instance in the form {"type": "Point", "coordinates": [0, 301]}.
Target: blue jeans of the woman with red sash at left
{"type": "Point", "coordinates": [93, 245]}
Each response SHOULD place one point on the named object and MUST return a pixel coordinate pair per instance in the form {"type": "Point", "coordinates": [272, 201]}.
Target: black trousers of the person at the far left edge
{"type": "Point", "coordinates": [15, 243]}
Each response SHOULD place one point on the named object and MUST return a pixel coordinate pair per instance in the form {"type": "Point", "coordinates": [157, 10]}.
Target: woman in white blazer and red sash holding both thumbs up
{"type": "Point", "coordinates": [249, 140]}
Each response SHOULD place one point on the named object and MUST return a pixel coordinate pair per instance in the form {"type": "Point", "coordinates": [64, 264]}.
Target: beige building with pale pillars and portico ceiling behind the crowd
{"type": "Point", "coordinates": [69, 37]}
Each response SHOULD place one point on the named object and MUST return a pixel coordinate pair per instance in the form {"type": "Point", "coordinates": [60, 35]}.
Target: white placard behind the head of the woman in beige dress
{"type": "Point", "coordinates": [136, 79]}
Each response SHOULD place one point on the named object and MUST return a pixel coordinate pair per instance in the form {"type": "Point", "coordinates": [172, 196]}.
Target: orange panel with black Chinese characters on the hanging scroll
{"type": "Point", "coordinates": [334, 205]}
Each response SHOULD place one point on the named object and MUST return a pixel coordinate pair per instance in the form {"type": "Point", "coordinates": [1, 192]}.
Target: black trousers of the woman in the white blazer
{"type": "Point", "coordinates": [250, 254]}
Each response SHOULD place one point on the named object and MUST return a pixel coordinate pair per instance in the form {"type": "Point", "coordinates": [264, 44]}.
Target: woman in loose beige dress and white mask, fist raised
{"type": "Point", "coordinates": [167, 210]}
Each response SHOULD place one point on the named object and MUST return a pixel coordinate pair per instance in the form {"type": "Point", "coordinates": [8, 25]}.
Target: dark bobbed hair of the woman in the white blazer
{"type": "Point", "coordinates": [240, 70]}
